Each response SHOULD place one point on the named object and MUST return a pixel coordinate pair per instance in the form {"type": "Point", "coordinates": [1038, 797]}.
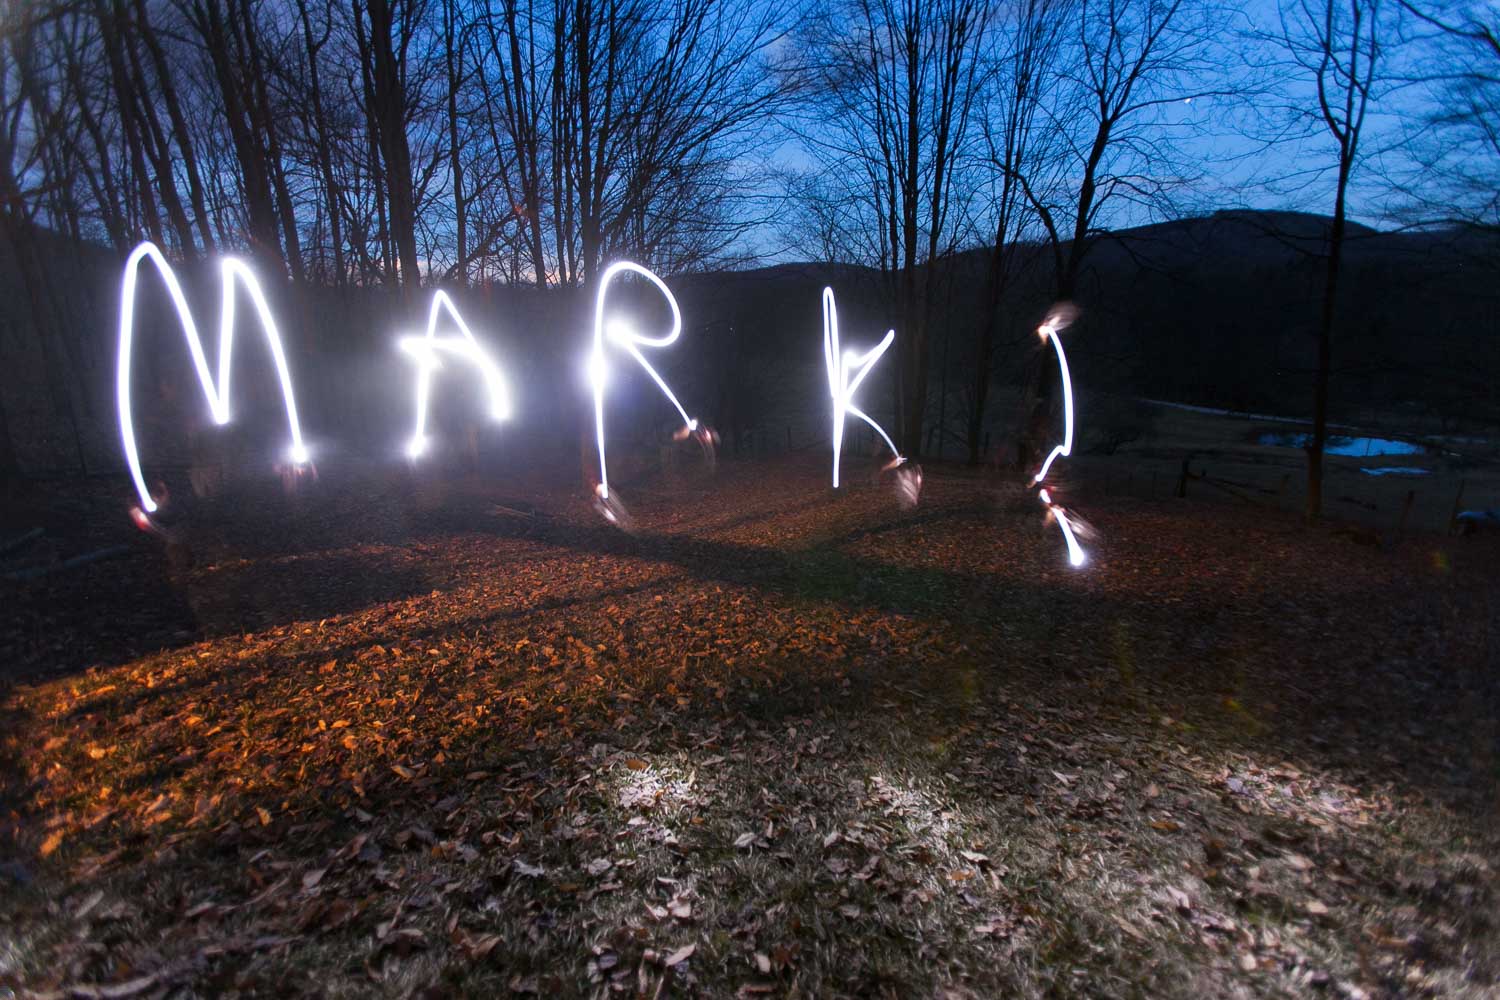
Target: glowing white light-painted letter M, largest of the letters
{"type": "Point", "coordinates": [218, 395]}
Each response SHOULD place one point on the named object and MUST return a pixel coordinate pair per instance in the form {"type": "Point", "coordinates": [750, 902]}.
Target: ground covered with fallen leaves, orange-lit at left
{"type": "Point", "coordinates": [464, 738]}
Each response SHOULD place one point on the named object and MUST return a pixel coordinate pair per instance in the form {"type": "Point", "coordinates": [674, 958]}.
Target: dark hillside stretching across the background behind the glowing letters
{"type": "Point", "coordinates": [1216, 311]}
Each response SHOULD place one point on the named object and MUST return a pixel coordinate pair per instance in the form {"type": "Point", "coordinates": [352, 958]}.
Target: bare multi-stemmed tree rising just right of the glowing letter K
{"type": "Point", "coordinates": [890, 91]}
